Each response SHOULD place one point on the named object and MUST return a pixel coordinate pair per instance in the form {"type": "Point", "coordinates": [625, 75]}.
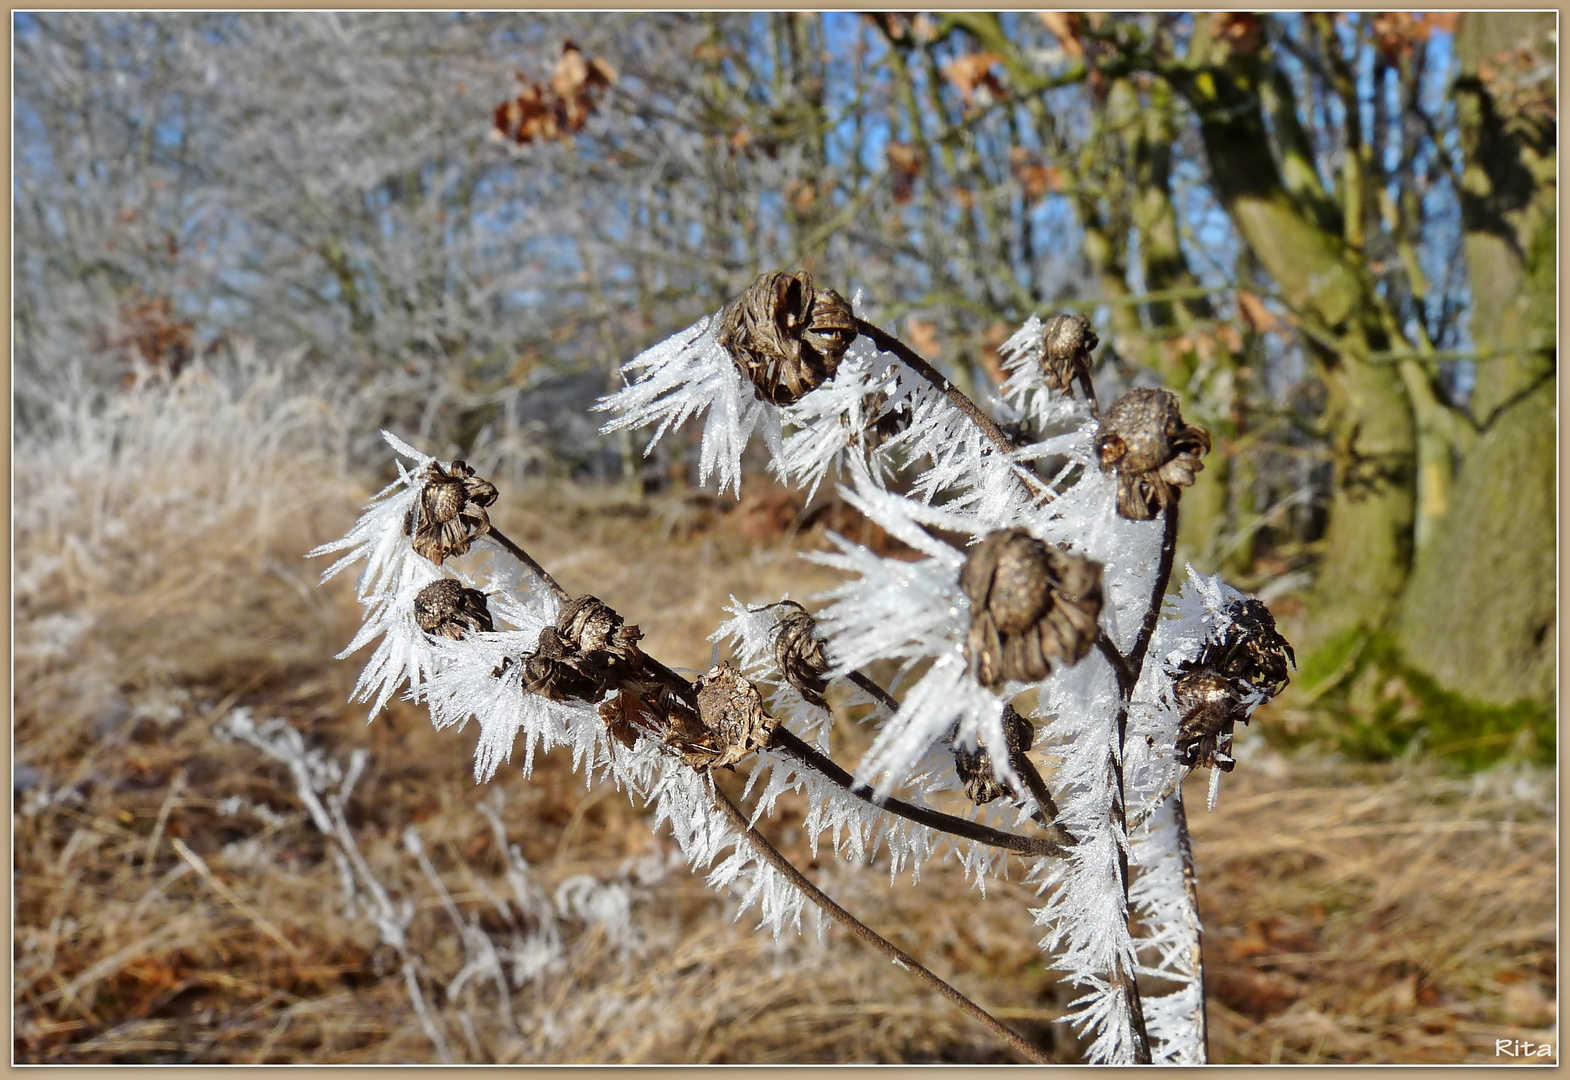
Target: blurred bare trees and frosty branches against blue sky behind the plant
{"type": "Point", "coordinates": [1332, 235]}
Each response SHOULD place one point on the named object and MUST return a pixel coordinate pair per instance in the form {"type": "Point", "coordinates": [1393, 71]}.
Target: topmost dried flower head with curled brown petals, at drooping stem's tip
{"type": "Point", "coordinates": [786, 335]}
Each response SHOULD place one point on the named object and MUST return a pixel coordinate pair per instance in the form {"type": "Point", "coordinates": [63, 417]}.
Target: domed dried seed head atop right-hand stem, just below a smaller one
{"type": "Point", "coordinates": [1153, 451]}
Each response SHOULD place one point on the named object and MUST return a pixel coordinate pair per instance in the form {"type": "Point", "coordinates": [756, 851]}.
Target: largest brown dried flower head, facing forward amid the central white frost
{"type": "Point", "coordinates": [1032, 607]}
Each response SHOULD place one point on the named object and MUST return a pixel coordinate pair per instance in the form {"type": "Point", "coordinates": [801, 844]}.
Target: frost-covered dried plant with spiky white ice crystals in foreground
{"type": "Point", "coordinates": [1050, 710]}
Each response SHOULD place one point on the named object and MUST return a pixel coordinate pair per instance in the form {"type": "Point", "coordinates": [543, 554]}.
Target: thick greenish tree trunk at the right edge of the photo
{"type": "Point", "coordinates": [1480, 611]}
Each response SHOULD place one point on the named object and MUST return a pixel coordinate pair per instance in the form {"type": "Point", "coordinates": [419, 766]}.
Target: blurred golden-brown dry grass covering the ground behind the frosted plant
{"type": "Point", "coordinates": [175, 903]}
